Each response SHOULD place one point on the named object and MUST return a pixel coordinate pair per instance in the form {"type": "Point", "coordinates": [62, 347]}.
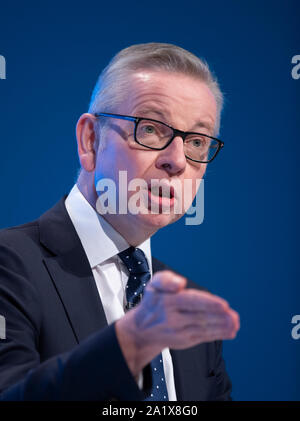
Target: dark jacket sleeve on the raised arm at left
{"type": "Point", "coordinates": [94, 370]}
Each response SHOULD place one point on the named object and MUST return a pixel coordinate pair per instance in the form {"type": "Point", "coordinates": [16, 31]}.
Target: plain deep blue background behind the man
{"type": "Point", "coordinates": [247, 249]}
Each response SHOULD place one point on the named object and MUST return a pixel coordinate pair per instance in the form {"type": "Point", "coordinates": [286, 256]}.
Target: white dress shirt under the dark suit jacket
{"type": "Point", "coordinates": [102, 243]}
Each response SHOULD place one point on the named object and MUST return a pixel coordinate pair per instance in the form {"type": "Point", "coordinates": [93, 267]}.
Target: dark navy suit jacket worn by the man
{"type": "Point", "coordinates": [58, 345]}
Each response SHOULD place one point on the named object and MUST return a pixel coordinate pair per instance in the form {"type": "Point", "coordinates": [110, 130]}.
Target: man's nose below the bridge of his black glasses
{"type": "Point", "coordinates": [172, 159]}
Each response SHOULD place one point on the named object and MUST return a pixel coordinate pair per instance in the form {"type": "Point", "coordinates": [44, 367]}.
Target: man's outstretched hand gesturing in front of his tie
{"type": "Point", "coordinates": [172, 316]}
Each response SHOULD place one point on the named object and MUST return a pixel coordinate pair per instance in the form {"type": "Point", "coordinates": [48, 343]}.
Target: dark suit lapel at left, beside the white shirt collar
{"type": "Point", "coordinates": [71, 273]}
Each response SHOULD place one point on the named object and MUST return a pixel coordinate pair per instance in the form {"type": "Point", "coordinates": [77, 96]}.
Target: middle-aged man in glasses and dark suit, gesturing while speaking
{"type": "Point", "coordinates": [71, 282]}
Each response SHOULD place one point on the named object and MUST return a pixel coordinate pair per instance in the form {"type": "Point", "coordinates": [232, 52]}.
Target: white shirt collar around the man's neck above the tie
{"type": "Point", "coordinates": [98, 238]}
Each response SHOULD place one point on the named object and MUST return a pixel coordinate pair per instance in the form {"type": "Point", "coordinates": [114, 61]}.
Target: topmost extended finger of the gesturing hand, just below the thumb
{"type": "Point", "coordinates": [195, 300]}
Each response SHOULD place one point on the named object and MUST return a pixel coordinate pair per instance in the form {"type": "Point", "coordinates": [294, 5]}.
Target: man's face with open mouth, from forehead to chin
{"type": "Point", "coordinates": [184, 103]}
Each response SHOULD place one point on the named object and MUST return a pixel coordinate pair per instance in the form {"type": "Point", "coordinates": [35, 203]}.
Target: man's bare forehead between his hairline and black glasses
{"type": "Point", "coordinates": [180, 99]}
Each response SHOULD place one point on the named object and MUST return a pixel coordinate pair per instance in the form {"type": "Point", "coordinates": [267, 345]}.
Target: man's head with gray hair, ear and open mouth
{"type": "Point", "coordinates": [156, 81]}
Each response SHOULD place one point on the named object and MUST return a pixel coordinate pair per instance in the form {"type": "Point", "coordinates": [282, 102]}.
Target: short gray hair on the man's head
{"type": "Point", "coordinates": [112, 85]}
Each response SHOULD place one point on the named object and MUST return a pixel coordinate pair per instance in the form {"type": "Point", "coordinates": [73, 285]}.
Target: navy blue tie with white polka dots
{"type": "Point", "coordinates": [139, 274]}
